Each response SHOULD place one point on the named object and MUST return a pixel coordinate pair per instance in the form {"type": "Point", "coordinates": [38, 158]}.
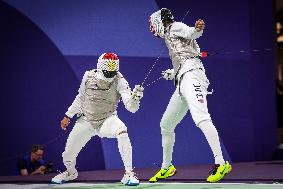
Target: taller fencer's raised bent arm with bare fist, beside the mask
{"type": "Point", "coordinates": [180, 29]}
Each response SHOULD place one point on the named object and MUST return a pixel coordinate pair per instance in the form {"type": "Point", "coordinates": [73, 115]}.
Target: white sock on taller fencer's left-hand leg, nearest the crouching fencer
{"type": "Point", "coordinates": [168, 140]}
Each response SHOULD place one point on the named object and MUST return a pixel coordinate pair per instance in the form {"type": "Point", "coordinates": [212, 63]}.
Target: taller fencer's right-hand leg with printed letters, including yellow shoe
{"type": "Point", "coordinates": [194, 89]}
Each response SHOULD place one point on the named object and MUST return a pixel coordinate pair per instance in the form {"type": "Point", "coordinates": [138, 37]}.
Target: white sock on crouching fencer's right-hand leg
{"type": "Point", "coordinates": [125, 149]}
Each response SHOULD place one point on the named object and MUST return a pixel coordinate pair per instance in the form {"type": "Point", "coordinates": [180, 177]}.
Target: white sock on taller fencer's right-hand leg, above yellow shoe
{"type": "Point", "coordinates": [212, 138]}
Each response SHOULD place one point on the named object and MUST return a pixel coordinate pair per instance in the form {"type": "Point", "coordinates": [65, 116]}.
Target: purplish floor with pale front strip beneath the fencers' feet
{"type": "Point", "coordinates": [257, 175]}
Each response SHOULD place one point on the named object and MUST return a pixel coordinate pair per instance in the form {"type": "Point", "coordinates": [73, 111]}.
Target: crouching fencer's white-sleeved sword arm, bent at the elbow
{"type": "Point", "coordinates": [131, 104]}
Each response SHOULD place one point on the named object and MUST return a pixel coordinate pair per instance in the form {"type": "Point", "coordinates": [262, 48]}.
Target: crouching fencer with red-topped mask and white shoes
{"type": "Point", "coordinates": [99, 94]}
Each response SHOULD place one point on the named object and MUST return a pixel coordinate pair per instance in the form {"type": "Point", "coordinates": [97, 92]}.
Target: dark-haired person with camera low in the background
{"type": "Point", "coordinates": [32, 163]}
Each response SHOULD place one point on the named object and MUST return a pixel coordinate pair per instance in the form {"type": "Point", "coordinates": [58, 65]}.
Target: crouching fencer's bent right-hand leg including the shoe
{"type": "Point", "coordinates": [113, 127]}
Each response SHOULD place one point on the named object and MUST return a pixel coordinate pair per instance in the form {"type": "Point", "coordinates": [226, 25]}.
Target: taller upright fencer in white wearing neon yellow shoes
{"type": "Point", "coordinates": [191, 83]}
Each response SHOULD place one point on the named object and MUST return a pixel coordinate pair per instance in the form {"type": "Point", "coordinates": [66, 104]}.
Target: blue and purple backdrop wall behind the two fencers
{"type": "Point", "coordinates": [46, 46]}
